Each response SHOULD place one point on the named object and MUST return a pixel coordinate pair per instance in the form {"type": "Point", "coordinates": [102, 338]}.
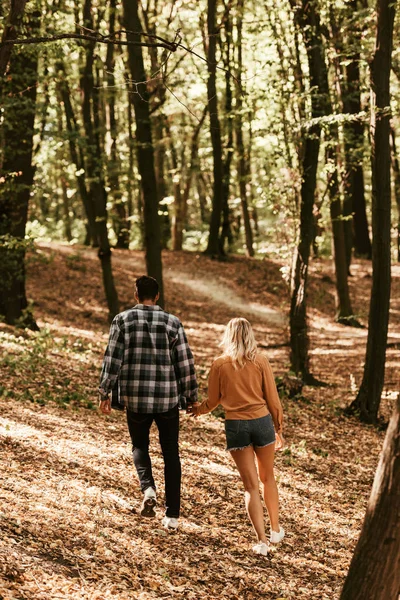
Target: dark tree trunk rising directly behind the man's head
{"type": "Point", "coordinates": [145, 154]}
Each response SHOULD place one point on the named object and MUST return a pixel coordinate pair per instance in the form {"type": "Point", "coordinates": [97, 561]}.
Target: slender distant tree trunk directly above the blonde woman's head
{"type": "Point", "coordinates": [241, 166]}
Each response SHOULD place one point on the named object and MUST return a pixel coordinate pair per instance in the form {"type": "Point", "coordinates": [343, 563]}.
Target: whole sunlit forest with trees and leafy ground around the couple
{"type": "Point", "coordinates": [246, 155]}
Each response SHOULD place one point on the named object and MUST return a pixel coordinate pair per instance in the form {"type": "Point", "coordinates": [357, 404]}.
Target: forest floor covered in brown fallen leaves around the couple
{"type": "Point", "coordinates": [70, 527]}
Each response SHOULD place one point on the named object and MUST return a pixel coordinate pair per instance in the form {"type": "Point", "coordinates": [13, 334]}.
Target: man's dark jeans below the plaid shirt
{"type": "Point", "coordinates": [168, 431]}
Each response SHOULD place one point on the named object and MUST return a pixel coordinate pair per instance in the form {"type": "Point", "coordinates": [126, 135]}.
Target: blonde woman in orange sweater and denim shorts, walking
{"type": "Point", "coordinates": [242, 381]}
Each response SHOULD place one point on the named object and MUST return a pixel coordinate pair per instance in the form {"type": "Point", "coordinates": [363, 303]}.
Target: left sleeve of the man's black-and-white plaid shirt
{"type": "Point", "coordinates": [113, 359]}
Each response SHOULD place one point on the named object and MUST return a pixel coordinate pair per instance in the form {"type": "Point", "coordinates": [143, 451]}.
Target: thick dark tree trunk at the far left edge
{"type": "Point", "coordinates": [19, 105]}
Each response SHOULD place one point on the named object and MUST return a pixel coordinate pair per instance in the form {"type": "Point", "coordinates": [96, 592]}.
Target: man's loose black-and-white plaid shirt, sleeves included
{"type": "Point", "coordinates": [149, 358]}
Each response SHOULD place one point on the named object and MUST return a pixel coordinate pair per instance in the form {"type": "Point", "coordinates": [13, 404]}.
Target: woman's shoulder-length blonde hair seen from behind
{"type": "Point", "coordinates": [239, 342]}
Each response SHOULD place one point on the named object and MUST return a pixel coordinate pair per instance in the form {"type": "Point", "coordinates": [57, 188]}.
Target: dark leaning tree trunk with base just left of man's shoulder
{"type": "Point", "coordinates": [97, 194]}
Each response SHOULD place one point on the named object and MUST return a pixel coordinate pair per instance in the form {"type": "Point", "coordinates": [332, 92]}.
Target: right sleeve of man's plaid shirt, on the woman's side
{"type": "Point", "coordinates": [184, 367]}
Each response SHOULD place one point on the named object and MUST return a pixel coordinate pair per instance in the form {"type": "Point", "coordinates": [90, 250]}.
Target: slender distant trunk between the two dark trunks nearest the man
{"type": "Point", "coordinates": [120, 221]}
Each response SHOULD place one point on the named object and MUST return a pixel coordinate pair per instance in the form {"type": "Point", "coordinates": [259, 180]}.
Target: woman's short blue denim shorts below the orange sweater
{"type": "Point", "coordinates": [253, 432]}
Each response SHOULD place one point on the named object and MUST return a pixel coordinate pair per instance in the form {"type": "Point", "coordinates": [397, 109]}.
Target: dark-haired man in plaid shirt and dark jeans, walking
{"type": "Point", "coordinates": [149, 359]}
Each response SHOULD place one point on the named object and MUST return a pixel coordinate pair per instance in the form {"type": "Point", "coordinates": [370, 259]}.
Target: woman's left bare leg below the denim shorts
{"type": "Point", "coordinates": [245, 463]}
